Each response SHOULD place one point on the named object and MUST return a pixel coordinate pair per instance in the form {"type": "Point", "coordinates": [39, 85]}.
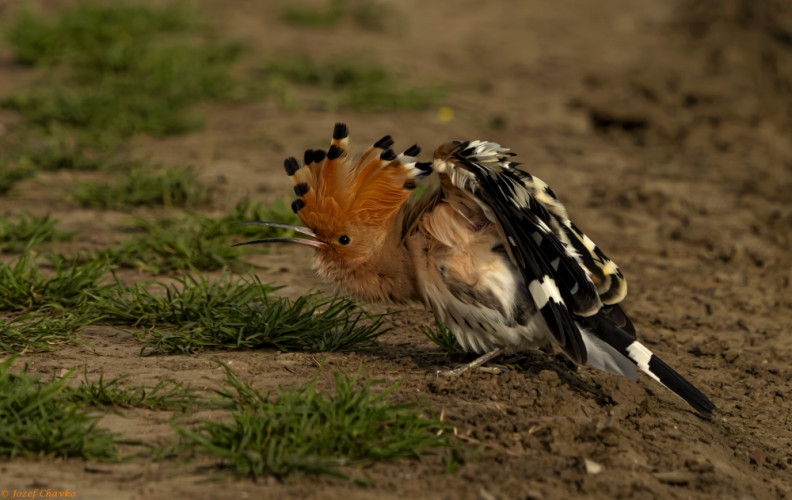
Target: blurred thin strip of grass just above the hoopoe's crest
{"type": "Point", "coordinates": [351, 85]}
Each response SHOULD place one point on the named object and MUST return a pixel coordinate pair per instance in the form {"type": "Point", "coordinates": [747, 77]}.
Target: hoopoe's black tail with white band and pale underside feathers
{"type": "Point", "coordinates": [604, 337]}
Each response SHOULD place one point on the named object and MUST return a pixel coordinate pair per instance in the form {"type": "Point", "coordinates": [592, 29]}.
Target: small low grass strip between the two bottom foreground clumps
{"type": "Point", "coordinates": [165, 395]}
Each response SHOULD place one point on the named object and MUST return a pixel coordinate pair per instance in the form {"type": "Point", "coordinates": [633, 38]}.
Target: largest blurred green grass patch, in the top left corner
{"type": "Point", "coordinates": [121, 69]}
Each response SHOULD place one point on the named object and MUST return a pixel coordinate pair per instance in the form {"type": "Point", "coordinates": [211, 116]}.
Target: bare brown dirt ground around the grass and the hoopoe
{"type": "Point", "coordinates": [665, 128]}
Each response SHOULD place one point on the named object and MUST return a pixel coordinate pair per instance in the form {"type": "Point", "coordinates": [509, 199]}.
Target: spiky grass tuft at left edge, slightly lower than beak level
{"type": "Point", "coordinates": [72, 286]}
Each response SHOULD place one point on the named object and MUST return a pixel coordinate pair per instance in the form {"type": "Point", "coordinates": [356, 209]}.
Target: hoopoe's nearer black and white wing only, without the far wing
{"type": "Point", "coordinates": [559, 286]}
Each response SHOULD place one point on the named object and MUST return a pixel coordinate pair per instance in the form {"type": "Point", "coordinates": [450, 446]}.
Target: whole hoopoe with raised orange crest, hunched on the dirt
{"type": "Point", "coordinates": [487, 247]}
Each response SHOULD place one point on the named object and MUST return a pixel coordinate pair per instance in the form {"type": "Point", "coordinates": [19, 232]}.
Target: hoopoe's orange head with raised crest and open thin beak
{"type": "Point", "coordinates": [347, 208]}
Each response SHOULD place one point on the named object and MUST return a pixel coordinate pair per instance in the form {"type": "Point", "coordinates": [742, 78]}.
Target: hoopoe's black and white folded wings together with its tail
{"type": "Point", "coordinates": [574, 286]}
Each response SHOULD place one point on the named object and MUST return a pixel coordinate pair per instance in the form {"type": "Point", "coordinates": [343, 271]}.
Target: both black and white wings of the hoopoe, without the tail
{"type": "Point", "coordinates": [564, 270]}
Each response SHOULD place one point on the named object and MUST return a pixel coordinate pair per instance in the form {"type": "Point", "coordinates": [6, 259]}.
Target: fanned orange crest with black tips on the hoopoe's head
{"type": "Point", "coordinates": [332, 190]}
